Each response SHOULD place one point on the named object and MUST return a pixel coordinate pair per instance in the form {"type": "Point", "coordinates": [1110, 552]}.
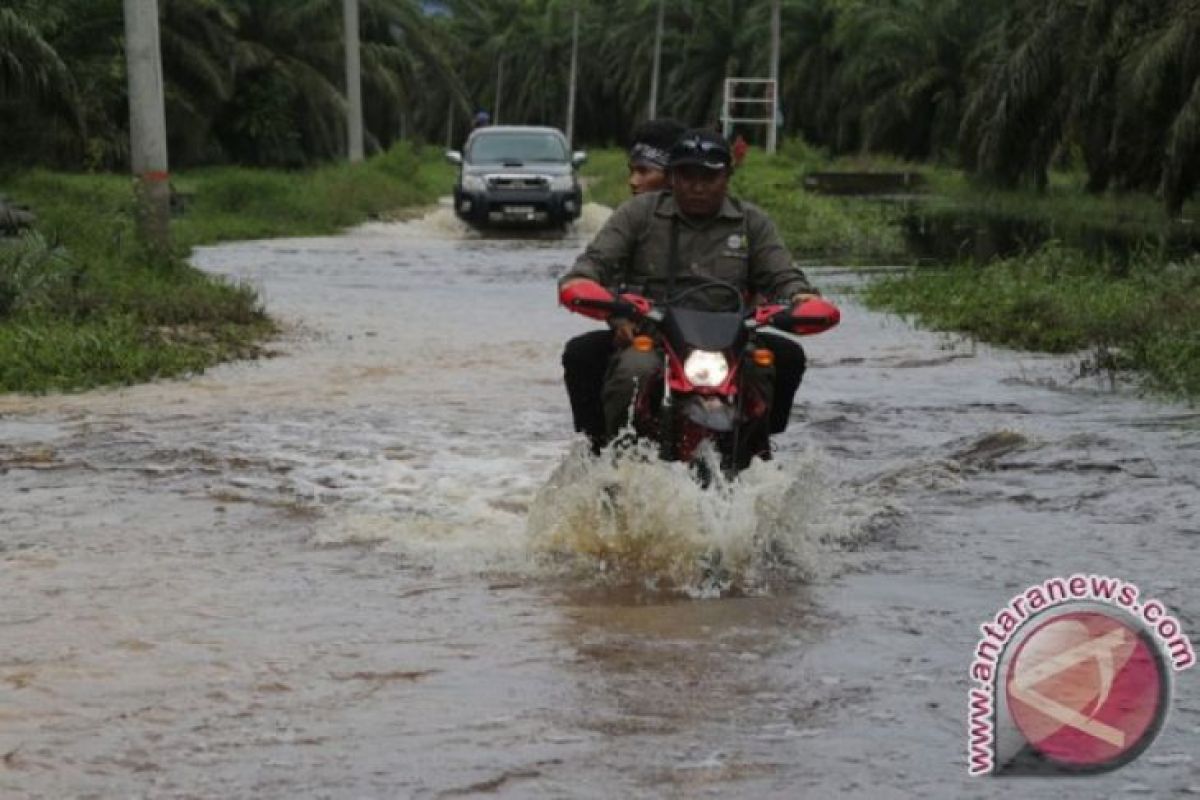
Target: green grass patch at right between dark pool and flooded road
{"type": "Point", "coordinates": [1141, 314]}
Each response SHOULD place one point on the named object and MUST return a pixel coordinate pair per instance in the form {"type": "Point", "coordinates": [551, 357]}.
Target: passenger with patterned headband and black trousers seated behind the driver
{"type": "Point", "coordinates": [586, 358]}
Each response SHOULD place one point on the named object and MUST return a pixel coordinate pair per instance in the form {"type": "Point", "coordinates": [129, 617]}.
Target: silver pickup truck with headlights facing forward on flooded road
{"type": "Point", "coordinates": [518, 176]}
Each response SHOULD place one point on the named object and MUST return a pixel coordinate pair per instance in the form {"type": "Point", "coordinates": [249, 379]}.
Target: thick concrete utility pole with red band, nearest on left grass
{"type": "Point", "coordinates": [148, 123]}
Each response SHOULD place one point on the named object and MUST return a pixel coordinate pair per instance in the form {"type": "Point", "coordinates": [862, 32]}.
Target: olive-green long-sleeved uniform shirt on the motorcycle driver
{"type": "Point", "coordinates": [739, 246]}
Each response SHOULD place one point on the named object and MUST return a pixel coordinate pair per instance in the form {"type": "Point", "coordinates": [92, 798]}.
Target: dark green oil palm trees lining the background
{"type": "Point", "coordinates": [1004, 88]}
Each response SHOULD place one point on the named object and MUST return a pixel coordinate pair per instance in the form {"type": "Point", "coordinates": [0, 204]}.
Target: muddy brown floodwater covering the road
{"type": "Point", "coordinates": [377, 566]}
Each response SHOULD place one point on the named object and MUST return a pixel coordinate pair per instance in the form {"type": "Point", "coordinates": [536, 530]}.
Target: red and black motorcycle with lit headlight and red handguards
{"type": "Point", "coordinates": [715, 371]}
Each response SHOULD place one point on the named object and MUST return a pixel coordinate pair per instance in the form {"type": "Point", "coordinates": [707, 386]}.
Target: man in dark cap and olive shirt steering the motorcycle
{"type": "Point", "coordinates": [719, 238]}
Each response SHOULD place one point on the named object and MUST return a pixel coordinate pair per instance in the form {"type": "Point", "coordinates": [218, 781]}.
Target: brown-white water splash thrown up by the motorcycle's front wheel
{"type": "Point", "coordinates": [637, 520]}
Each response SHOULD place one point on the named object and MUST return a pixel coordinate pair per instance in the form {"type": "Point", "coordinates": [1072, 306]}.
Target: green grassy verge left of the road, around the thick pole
{"type": "Point", "coordinates": [82, 306]}
